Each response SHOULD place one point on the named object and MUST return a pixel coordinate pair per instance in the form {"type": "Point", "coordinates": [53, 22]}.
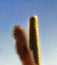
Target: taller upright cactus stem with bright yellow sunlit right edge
{"type": "Point", "coordinates": [34, 38]}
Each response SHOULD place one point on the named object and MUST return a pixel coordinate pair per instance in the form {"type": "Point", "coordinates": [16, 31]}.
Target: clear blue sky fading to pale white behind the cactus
{"type": "Point", "coordinates": [14, 12]}
